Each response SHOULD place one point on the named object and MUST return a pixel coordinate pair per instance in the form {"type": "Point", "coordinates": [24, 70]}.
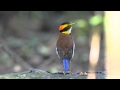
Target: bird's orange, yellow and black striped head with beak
{"type": "Point", "coordinates": [66, 27]}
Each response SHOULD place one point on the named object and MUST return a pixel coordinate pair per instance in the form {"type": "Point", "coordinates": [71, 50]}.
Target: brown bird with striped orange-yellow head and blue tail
{"type": "Point", "coordinates": [65, 46]}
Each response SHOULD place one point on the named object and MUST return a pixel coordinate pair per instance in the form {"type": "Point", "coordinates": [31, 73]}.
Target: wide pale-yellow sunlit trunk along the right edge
{"type": "Point", "coordinates": [112, 43]}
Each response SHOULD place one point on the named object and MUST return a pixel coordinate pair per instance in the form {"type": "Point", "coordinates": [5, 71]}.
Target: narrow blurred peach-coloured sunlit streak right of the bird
{"type": "Point", "coordinates": [94, 54]}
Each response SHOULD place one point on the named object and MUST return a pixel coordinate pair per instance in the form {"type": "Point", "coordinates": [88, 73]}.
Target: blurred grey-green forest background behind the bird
{"type": "Point", "coordinates": [28, 40]}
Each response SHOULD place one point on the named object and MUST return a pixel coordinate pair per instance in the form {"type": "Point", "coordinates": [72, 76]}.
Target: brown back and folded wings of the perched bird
{"type": "Point", "coordinates": [65, 46]}
